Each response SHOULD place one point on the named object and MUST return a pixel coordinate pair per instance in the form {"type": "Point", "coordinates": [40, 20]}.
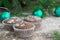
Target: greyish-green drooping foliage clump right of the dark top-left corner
{"type": "Point", "coordinates": [16, 7]}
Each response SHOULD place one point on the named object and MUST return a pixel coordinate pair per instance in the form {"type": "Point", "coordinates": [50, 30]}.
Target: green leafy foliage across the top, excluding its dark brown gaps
{"type": "Point", "coordinates": [15, 6]}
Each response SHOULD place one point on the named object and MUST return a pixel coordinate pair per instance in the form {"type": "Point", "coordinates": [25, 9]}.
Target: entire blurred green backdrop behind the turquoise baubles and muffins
{"type": "Point", "coordinates": [17, 7]}
